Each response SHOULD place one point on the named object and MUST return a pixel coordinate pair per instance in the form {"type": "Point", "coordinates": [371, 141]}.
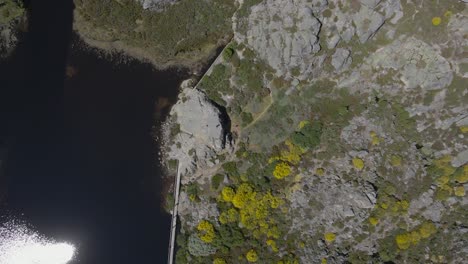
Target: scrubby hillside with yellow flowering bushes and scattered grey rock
{"type": "Point", "coordinates": [332, 169]}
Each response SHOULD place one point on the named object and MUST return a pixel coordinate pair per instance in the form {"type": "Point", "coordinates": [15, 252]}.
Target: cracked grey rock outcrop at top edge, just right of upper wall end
{"type": "Point", "coordinates": [284, 34]}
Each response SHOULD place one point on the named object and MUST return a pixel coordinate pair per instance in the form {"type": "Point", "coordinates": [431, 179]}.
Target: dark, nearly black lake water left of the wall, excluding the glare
{"type": "Point", "coordinates": [81, 160]}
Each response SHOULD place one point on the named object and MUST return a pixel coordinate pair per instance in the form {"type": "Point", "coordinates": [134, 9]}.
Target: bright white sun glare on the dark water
{"type": "Point", "coordinates": [21, 245]}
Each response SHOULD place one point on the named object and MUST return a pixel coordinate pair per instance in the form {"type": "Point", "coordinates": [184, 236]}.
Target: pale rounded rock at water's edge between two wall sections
{"type": "Point", "coordinates": [202, 132]}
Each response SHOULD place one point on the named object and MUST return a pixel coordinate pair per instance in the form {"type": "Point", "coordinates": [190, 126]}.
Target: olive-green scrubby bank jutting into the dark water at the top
{"type": "Point", "coordinates": [185, 32]}
